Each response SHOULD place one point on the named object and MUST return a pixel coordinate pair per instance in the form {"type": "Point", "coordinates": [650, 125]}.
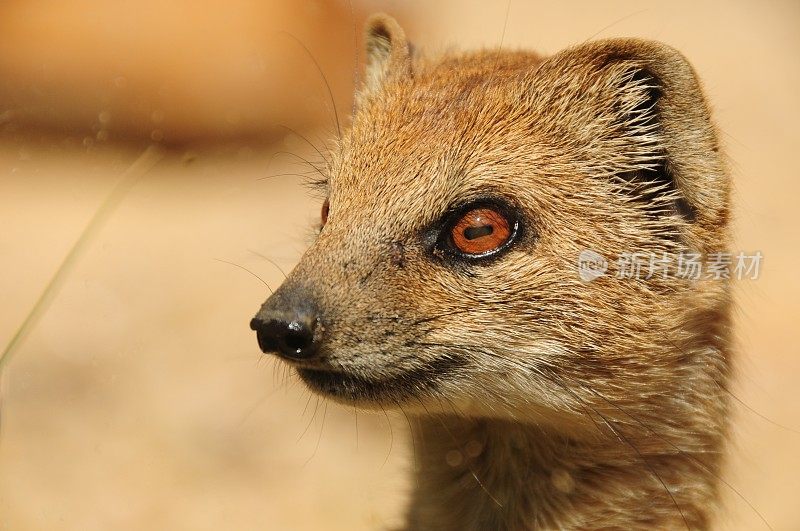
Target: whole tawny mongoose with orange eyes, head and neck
{"type": "Point", "coordinates": [444, 282]}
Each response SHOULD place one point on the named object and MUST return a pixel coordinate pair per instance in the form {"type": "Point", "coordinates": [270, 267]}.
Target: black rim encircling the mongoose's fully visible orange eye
{"type": "Point", "coordinates": [446, 246]}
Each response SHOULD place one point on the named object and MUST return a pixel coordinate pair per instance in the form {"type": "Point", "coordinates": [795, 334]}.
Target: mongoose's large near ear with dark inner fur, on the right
{"type": "Point", "coordinates": [643, 101]}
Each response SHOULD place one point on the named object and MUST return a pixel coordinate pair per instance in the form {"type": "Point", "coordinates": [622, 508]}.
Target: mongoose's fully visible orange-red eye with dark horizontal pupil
{"type": "Point", "coordinates": [481, 231]}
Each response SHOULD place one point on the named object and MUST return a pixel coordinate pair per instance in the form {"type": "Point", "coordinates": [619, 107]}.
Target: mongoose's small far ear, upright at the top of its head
{"type": "Point", "coordinates": [388, 51]}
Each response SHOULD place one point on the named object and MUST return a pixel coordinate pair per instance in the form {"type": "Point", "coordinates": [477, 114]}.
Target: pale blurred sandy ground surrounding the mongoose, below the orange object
{"type": "Point", "coordinates": [141, 400]}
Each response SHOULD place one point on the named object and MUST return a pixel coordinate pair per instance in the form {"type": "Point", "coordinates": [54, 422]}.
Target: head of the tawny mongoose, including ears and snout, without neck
{"type": "Point", "coordinates": [445, 275]}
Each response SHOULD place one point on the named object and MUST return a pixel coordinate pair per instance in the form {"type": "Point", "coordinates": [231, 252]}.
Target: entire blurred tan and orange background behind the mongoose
{"type": "Point", "coordinates": [141, 401]}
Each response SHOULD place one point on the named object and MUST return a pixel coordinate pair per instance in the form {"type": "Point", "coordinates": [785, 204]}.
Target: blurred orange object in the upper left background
{"type": "Point", "coordinates": [176, 71]}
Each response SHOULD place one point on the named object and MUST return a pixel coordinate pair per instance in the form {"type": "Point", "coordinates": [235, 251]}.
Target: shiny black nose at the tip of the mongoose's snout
{"type": "Point", "coordinates": [294, 337]}
